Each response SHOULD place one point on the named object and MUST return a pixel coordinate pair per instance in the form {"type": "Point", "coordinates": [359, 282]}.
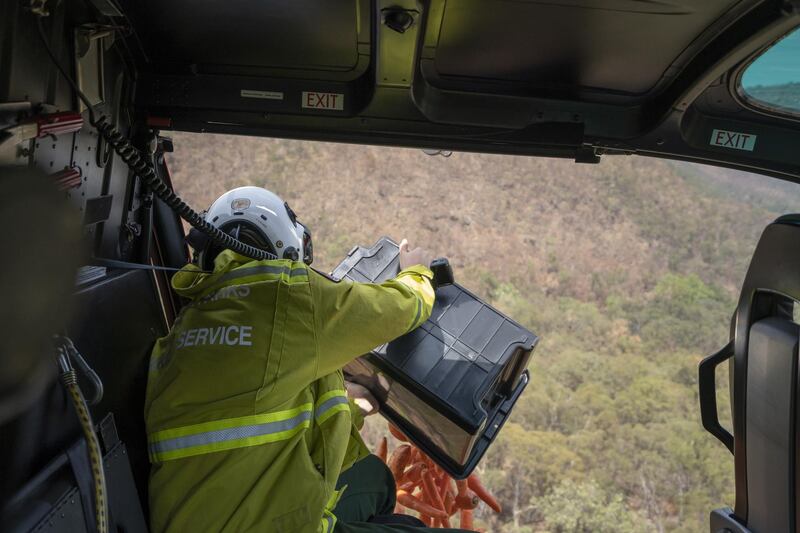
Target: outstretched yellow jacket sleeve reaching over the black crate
{"type": "Point", "coordinates": [353, 318]}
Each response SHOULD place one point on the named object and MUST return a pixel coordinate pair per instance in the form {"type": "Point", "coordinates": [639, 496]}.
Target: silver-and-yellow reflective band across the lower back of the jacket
{"type": "Point", "coordinates": [228, 434]}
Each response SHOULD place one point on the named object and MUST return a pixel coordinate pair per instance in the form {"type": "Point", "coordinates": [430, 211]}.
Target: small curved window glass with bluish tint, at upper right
{"type": "Point", "coordinates": [773, 80]}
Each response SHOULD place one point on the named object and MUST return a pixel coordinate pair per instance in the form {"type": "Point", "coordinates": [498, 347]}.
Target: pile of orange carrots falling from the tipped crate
{"type": "Point", "coordinates": [422, 486]}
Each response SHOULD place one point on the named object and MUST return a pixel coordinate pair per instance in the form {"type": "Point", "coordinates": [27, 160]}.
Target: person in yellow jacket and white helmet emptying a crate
{"type": "Point", "coordinates": [249, 424]}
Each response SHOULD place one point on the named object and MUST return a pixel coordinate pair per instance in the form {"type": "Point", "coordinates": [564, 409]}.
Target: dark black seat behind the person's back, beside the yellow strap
{"type": "Point", "coordinates": [118, 320]}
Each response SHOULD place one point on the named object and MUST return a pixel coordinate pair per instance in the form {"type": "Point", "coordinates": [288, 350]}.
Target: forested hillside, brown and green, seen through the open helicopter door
{"type": "Point", "coordinates": [628, 270]}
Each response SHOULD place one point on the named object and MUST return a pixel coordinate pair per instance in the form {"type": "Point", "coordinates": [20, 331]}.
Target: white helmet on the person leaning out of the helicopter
{"type": "Point", "coordinates": [257, 217]}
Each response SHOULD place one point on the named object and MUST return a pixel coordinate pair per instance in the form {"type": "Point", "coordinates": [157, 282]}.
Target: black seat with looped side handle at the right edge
{"type": "Point", "coordinates": [764, 377]}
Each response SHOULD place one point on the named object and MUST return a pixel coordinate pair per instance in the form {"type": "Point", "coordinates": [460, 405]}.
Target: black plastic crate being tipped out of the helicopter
{"type": "Point", "coordinates": [450, 384]}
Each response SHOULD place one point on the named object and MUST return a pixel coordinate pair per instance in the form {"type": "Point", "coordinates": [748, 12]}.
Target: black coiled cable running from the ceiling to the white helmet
{"type": "Point", "coordinates": [141, 169]}
